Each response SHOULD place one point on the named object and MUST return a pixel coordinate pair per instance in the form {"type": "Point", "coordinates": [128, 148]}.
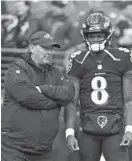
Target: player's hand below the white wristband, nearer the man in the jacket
{"type": "Point", "coordinates": [72, 143]}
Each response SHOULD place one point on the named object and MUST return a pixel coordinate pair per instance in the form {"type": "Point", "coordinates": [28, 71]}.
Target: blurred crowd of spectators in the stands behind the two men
{"type": "Point", "coordinates": [63, 20]}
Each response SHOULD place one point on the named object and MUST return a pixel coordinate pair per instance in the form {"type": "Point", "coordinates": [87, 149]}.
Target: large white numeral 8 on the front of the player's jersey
{"type": "Point", "coordinates": [99, 85]}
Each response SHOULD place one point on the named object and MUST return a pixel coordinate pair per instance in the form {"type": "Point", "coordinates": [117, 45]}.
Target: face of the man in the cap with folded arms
{"type": "Point", "coordinates": [41, 55]}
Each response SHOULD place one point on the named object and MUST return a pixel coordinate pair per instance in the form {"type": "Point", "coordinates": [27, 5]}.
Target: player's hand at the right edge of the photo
{"type": "Point", "coordinates": [127, 139]}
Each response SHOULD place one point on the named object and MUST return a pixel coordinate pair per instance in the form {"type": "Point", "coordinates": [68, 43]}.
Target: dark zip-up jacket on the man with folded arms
{"type": "Point", "coordinates": [30, 118]}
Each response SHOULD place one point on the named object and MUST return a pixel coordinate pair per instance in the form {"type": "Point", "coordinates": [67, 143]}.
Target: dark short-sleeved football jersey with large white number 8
{"type": "Point", "coordinates": [101, 86]}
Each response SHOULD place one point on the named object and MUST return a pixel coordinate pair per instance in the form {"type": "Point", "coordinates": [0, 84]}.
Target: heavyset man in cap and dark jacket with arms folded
{"type": "Point", "coordinates": [35, 90]}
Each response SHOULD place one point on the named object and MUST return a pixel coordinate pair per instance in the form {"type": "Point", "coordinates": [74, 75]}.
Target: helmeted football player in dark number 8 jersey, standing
{"type": "Point", "coordinates": [102, 78]}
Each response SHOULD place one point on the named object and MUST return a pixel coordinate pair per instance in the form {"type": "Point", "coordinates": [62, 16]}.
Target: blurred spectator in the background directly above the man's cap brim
{"type": "Point", "coordinates": [57, 23]}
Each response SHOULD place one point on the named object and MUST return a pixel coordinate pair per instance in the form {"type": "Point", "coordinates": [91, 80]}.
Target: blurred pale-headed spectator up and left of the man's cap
{"type": "Point", "coordinates": [27, 24]}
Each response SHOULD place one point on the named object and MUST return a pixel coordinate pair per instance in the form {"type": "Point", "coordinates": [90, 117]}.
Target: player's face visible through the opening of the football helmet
{"type": "Point", "coordinates": [96, 37]}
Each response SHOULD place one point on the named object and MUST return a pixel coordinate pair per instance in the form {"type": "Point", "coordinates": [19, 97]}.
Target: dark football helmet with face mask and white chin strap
{"type": "Point", "coordinates": [97, 23]}
